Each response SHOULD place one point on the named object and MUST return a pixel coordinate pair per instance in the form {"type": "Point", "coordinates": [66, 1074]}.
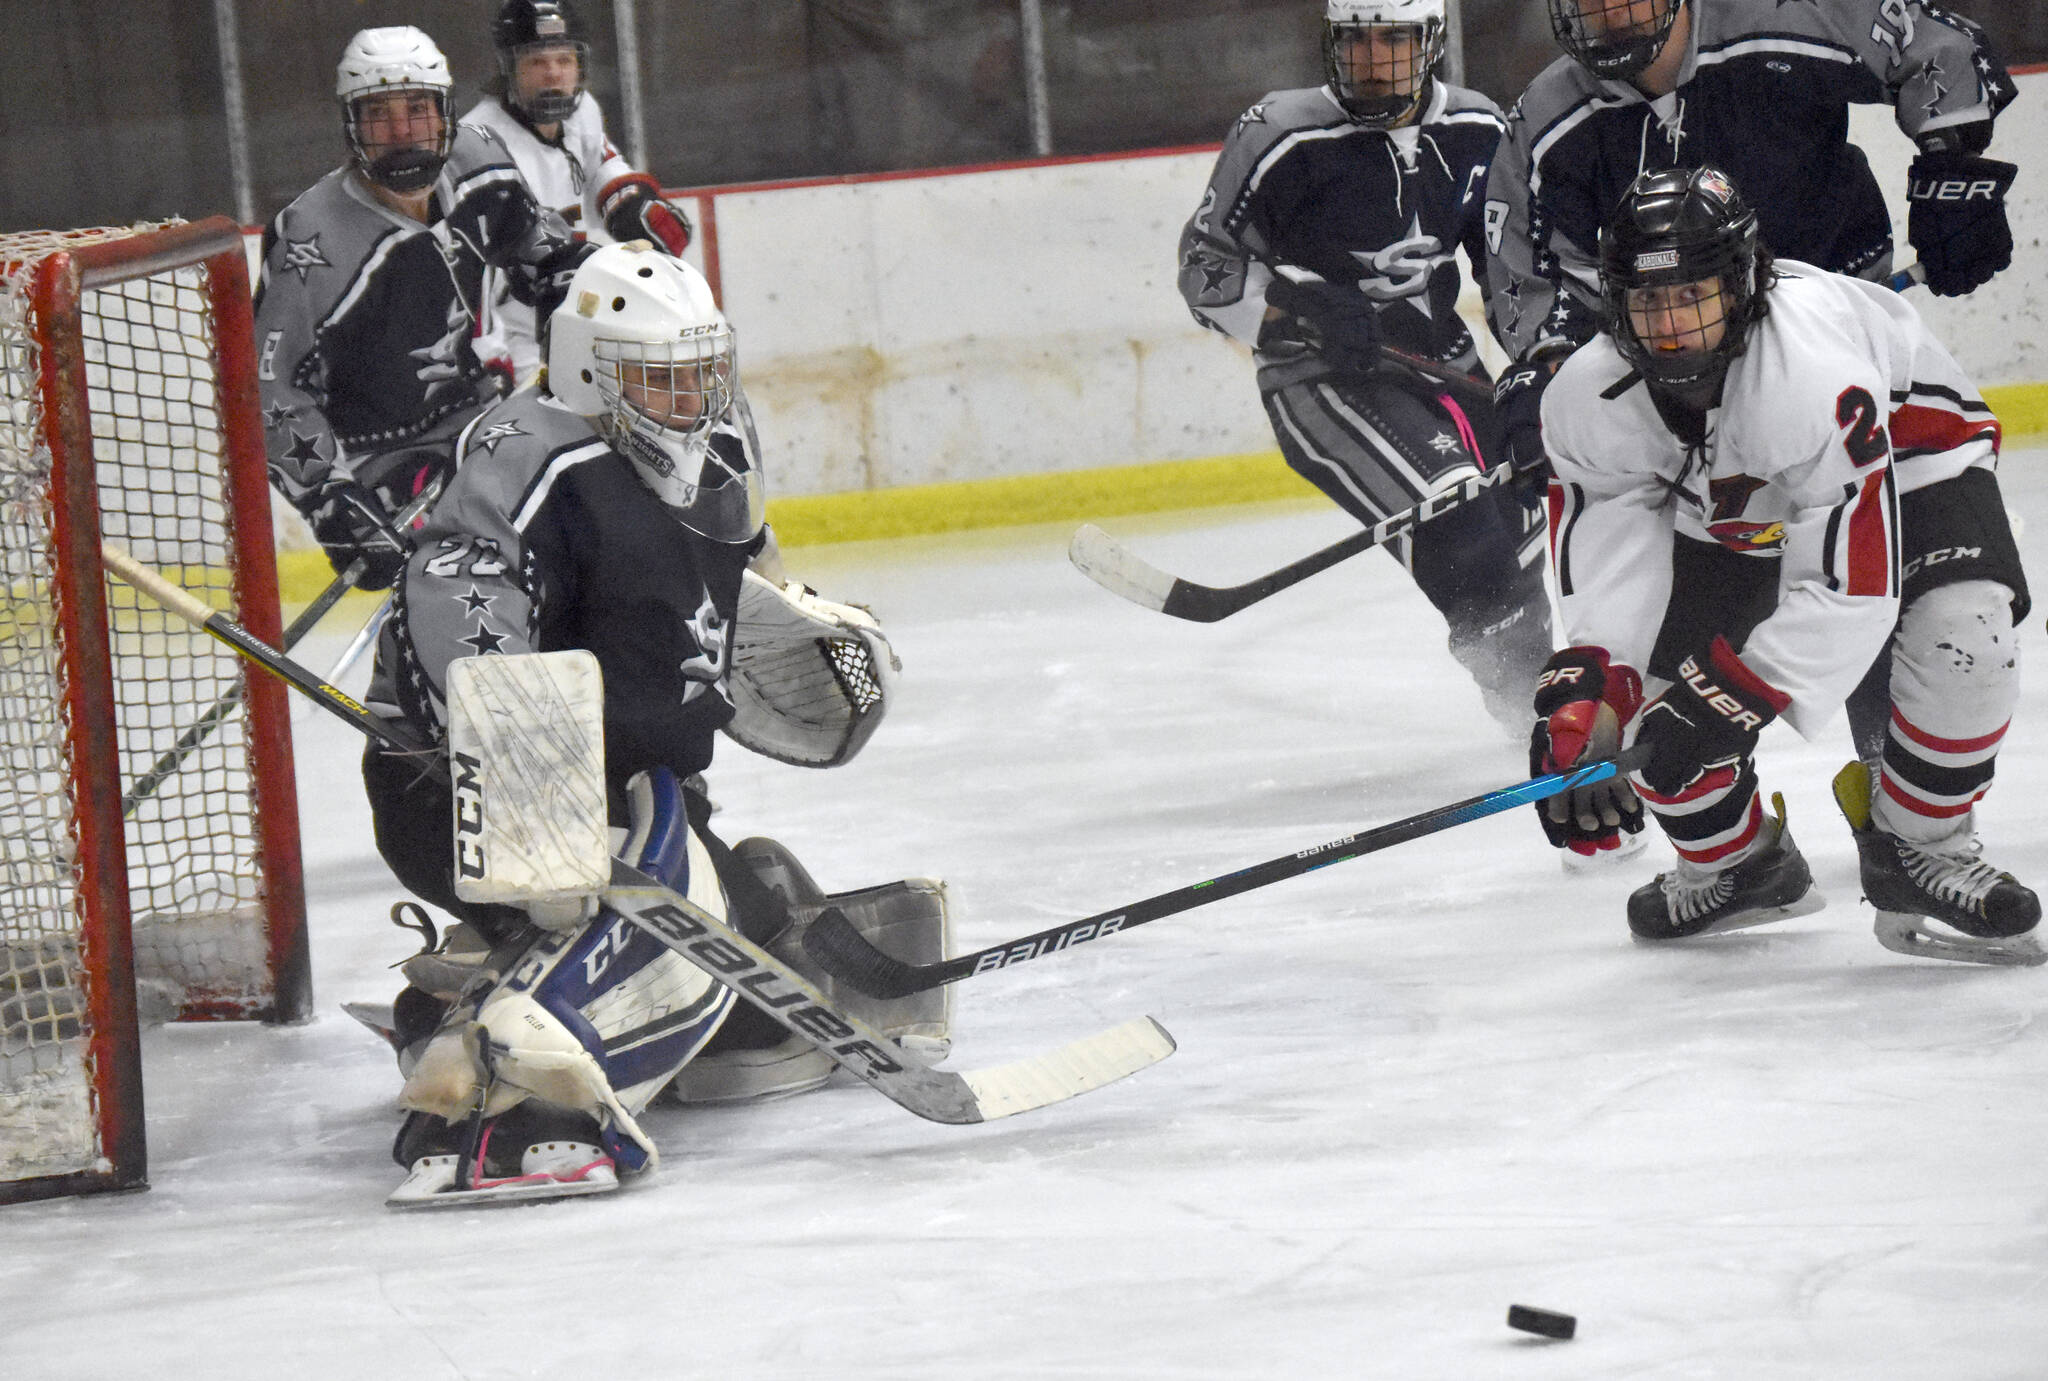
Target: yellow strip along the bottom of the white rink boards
{"type": "Point", "coordinates": [1072, 497]}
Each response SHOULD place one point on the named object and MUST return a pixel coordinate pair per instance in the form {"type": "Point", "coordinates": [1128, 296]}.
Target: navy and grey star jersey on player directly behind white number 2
{"type": "Point", "coordinates": [1764, 95]}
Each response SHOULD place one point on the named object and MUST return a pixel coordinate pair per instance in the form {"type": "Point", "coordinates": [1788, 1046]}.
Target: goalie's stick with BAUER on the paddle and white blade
{"type": "Point", "coordinates": [728, 956]}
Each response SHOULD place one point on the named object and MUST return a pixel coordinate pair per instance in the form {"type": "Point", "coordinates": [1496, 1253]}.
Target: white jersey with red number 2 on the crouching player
{"type": "Point", "coordinates": [1840, 403]}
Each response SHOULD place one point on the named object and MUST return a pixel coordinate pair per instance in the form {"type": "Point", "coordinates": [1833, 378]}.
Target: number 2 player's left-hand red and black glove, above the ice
{"type": "Point", "coordinates": [1582, 704]}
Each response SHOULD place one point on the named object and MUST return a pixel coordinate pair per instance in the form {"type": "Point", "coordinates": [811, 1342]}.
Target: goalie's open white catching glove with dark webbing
{"type": "Point", "coordinates": [810, 677]}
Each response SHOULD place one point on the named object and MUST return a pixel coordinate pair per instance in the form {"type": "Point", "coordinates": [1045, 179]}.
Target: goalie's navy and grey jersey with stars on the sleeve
{"type": "Point", "coordinates": [548, 540]}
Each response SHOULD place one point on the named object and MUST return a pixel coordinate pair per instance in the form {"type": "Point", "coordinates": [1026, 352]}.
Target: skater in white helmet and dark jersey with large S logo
{"type": "Point", "coordinates": [1330, 228]}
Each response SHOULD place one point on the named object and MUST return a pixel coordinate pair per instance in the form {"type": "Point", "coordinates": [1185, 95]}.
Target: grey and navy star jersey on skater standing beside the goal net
{"type": "Point", "coordinates": [364, 317]}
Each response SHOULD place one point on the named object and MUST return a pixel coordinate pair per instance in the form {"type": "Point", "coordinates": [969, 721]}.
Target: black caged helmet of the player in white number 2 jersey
{"type": "Point", "coordinates": [1674, 228]}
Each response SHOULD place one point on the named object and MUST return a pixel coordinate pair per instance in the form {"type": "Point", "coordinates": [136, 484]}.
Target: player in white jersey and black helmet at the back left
{"type": "Point", "coordinates": [554, 128]}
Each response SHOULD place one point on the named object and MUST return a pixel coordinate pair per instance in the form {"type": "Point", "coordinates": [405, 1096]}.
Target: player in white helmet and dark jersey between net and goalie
{"type": "Point", "coordinates": [370, 296]}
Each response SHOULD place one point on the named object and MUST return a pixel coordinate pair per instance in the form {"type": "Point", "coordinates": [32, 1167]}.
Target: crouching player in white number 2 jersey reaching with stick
{"type": "Point", "coordinates": [1762, 478]}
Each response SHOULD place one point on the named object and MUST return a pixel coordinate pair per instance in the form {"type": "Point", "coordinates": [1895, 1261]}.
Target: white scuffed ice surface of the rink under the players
{"type": "Point", "coordinates": [1410, 1091]}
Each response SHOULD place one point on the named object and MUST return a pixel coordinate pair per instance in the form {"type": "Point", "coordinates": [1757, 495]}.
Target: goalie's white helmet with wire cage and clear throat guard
{"type": "Point", "coordinates": [642, 347]}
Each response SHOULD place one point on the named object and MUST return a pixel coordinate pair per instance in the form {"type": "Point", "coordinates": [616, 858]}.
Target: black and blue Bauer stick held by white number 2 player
{"type": "Point", "coordinates": [849, 956]}
